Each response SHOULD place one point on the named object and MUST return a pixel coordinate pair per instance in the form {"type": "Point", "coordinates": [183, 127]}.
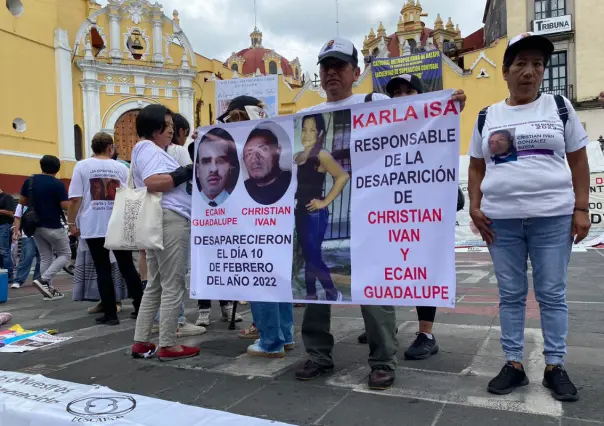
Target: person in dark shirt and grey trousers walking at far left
{"type": "Point", "coordinates": [48, 199]}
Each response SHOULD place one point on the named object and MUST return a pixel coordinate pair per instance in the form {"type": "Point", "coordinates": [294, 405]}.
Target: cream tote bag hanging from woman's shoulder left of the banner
{"type": "Point", "coordinates": [136, 220]}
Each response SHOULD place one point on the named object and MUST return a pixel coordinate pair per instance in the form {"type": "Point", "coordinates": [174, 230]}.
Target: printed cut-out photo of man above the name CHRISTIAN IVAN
{"type": "Point", "coordinates": [267, 182]}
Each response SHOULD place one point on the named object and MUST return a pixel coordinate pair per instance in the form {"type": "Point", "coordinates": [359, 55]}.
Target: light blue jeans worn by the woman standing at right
{"type": "Point", "coordinates": [547, 242]}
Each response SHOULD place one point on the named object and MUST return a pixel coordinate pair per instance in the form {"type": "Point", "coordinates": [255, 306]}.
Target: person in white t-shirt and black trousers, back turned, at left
{"type": "Point", "coordinates": [92, 193]}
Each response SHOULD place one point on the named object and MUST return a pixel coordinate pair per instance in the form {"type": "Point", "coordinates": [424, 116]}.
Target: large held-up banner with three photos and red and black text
{"type": "Point", "coordinates": [339, 206]}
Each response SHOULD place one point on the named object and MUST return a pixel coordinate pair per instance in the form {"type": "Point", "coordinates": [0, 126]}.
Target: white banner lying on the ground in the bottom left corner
{"type": "Point", "coordinates": [37, 400]}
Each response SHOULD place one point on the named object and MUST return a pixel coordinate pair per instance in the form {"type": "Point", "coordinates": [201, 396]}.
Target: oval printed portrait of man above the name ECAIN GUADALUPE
{"type": "Point", "coordinates": [217, 168]}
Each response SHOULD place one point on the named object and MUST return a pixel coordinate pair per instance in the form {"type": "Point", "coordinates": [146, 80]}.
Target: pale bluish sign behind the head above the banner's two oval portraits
{"type": "Point", "coordinates": [264, 88]}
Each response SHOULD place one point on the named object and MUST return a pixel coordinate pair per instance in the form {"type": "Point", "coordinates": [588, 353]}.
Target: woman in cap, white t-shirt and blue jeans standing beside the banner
{"type": "Point", "coordinates": [529, 197]}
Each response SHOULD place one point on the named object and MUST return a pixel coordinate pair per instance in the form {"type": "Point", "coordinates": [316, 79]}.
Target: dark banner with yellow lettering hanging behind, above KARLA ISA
{"type": "Point", "coordinates": [425, 65]}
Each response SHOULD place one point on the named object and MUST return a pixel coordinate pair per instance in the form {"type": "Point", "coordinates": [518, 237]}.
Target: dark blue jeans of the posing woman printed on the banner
{"type": "Point", "coordinates": [310, 228]}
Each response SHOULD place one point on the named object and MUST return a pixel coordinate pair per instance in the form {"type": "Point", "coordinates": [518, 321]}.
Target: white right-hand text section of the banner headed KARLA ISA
{"type": "Point", "coordinates": [404, 197]}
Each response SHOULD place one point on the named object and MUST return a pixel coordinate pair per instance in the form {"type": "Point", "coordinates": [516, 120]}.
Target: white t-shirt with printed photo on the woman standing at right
{"type": "Point", "coordinates": [528, 176]}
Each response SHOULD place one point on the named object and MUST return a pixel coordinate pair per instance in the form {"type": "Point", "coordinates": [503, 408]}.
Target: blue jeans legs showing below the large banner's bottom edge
{"type": "Point", "coordinates": [275, 322]}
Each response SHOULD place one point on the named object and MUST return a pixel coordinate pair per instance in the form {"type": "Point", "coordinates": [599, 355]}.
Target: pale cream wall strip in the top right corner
{"type": "Point", "coordinates": [589, 40]}
